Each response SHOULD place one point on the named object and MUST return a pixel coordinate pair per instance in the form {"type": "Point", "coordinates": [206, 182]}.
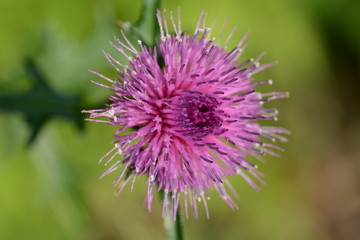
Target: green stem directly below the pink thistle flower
{"type": "Point", "coordinates": [173, 227]}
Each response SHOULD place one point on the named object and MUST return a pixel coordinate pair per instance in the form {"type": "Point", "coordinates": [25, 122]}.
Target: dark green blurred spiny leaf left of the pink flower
{"type": "Point", "coordinates": [41, 103]}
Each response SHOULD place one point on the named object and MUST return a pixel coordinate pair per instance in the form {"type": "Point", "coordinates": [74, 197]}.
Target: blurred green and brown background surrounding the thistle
{"type": "Point", "coordinates": [50, 188]}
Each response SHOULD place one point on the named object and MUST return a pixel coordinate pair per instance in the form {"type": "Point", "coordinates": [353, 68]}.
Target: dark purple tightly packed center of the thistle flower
{"type": "Point", "coordinates": [199, 115]}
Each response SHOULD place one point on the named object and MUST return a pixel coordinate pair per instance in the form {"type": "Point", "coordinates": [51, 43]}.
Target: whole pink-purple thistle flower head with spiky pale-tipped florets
{"type": "Point", "coordinates": [194, 112]}
